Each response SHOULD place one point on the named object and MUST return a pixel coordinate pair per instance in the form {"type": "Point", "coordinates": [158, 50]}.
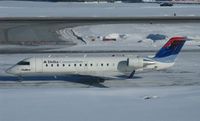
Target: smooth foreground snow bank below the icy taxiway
{"type": "Point", "coordinates": [127, 104]}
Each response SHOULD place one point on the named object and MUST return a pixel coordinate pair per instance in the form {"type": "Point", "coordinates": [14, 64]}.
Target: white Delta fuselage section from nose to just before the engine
{"type": "Point", "coordinates": [67, 65]}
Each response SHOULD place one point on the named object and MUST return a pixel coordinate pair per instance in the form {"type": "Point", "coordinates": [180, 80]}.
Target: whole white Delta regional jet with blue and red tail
{"type": "Point", "coordinates": [100, 66]}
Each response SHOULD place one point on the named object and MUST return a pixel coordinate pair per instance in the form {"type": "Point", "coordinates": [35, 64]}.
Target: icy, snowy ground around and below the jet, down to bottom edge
{"type": "Point", "coordinates": [171, 95]}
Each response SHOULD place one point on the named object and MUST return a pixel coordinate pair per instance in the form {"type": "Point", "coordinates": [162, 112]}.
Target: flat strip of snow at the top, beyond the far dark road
{"type": "Point", "coordinates": [42, 9]}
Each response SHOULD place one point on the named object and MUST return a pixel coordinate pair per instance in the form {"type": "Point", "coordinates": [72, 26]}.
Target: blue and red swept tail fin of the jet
{"type": "Point", "coordinates": [170, 50]}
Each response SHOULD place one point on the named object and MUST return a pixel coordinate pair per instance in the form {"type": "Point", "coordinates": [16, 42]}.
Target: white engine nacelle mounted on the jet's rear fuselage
{"type": "Point", "coordinates": [135, 62]}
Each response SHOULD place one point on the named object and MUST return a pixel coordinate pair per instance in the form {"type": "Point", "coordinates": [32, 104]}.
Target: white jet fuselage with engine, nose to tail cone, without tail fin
{"type": "Point", "coordinates": [94, 66]}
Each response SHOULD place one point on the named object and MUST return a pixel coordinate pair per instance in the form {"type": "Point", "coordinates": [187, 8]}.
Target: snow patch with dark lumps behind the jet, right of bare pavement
{"type": "Point", "coordinates": [136, 36]}
